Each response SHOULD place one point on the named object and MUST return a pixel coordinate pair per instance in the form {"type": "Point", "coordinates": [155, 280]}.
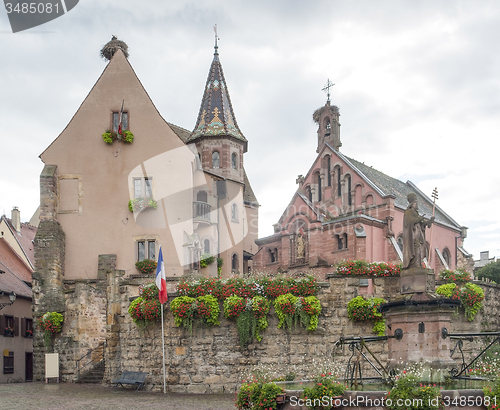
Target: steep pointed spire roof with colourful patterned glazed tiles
{"type": "Point", "coordinates": [216, 116]}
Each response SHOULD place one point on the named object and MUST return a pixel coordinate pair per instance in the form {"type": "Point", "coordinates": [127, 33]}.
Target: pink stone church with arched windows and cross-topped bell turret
{"type": "Point", "coordinates": [346, 210]}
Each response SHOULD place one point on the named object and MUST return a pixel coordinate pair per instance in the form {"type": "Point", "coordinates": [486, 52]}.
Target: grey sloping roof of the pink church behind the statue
{"type": "Point", "coordinates": [400, 190]}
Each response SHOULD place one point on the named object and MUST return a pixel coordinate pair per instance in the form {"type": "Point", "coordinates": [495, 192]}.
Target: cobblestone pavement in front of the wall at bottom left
{"type": "Point", "coordinates": [69, 396]}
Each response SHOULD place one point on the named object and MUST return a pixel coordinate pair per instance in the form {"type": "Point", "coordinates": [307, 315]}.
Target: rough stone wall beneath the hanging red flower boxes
{"type": "Point", "coordinates": [211, 360]}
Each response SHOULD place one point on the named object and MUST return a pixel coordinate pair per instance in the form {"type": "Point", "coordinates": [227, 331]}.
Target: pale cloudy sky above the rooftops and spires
{"type": "Point", "coordinates": [417, 85]}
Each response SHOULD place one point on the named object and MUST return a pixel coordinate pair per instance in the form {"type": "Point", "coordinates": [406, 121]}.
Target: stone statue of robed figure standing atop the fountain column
{"type": "Point", "coordinates": [414, 248]}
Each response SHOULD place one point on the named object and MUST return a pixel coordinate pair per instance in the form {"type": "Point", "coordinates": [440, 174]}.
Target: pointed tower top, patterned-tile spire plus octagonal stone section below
{"type": "Point", "coordinates": [218, 139]}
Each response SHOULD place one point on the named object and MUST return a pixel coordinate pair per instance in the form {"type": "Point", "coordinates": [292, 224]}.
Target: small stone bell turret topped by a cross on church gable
{"type": "Point", "coordinates": [327, 118]}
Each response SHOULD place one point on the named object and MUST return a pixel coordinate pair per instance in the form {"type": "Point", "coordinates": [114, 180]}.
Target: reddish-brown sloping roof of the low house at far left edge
{"type": "Point", "coordinates": [15, 271]}
